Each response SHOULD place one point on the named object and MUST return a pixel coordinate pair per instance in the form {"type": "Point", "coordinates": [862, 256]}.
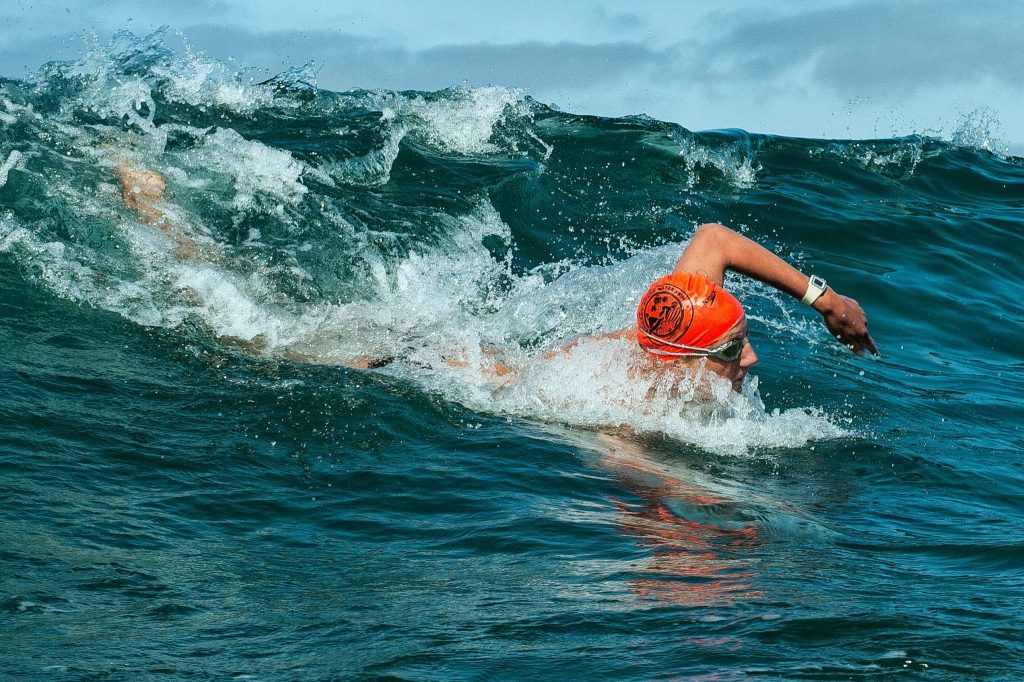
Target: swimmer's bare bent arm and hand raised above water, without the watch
{"type": "Point", "coordinates": [716, 249]}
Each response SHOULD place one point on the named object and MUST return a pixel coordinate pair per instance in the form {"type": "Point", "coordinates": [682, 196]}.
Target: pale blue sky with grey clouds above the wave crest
{"type": "Point", "coordinates": [824, 69]}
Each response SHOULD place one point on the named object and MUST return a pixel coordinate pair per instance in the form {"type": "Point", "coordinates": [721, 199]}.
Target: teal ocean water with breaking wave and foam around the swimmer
{"type": "Point", "coordinates": [193, 486]}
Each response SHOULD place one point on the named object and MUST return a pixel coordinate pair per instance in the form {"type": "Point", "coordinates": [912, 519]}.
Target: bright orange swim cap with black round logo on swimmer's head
{"type": "Point", "coordinates": [685, 310]}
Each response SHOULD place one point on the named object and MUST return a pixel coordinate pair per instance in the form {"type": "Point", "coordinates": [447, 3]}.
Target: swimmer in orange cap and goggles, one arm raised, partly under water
{"type": "Point", "coordinates": [686, 318]}
